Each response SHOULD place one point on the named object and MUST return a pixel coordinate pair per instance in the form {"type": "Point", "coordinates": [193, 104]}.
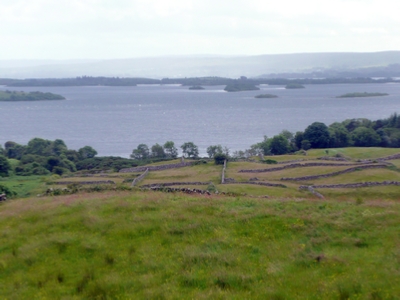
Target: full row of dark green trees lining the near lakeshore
{"type": "Point", "coordinates": [42, 157]}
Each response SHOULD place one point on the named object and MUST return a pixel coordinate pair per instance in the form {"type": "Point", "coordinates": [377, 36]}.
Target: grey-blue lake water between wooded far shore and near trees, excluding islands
{"type": "Point", "coordinates": [114, 120]}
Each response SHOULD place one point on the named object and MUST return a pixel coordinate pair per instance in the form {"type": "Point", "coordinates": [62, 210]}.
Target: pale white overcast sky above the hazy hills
{"type": "Point", "coordinates": [105, 29]}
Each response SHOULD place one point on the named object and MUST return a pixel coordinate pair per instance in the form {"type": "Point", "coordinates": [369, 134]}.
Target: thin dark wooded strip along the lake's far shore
{"type": "Point", "coordinates": [194, 81]}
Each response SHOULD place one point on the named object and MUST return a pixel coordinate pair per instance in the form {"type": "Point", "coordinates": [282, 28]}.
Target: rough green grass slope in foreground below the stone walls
{"type": "Point", "coordinates": [120, 245]}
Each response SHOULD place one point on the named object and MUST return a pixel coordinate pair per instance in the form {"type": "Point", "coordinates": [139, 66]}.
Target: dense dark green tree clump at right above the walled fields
{"type": "Point", "coordinates": [359, 132]}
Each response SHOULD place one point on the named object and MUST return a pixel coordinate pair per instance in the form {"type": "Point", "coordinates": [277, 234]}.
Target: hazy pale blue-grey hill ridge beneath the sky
{"type": "Point", "coordinates": [199, 66]}
